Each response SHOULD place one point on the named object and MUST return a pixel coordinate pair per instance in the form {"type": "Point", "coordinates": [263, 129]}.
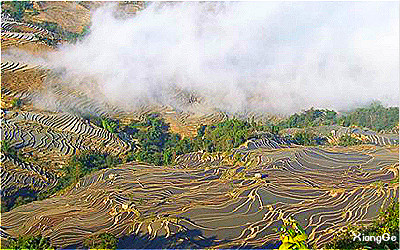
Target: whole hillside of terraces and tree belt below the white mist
{"type": "Point", "coordinates": [76, 166]}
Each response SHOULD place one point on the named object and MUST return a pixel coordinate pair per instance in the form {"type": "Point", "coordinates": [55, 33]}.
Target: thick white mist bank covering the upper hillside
{"type": "Point", "coordinates": [241, 56]}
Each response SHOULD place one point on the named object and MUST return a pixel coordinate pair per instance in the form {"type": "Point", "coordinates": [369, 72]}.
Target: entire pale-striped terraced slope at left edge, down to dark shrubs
{"type": "Point", "coordinates": [51, 139]}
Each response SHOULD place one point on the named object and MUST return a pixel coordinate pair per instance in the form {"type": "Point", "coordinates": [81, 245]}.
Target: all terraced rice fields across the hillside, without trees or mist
{"type": "Point", "coordinates": [204, 200]}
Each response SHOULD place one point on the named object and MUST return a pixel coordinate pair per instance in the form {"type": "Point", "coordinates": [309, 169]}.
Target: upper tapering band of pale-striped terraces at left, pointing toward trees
{"type": "Point", "coordinates": [64, 133]}
